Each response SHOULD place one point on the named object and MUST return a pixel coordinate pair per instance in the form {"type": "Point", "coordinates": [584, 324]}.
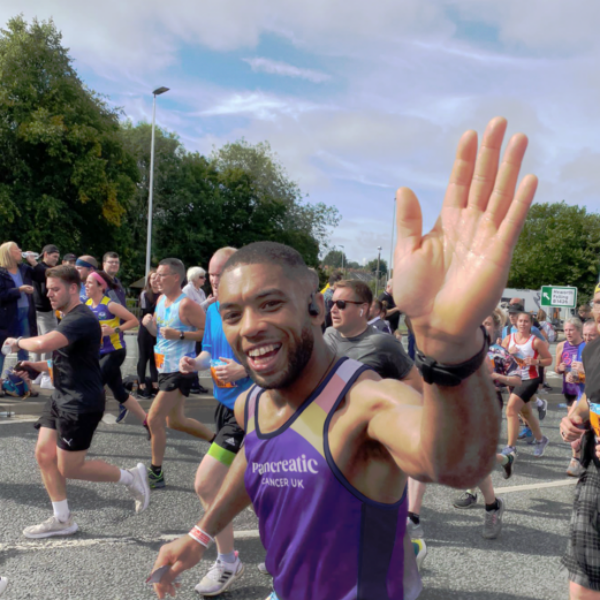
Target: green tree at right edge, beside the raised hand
{"type": "Point", "coordinates": [559, 245]}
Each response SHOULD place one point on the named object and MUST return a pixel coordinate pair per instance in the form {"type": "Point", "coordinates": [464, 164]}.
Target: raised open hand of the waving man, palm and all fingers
{"type": "Point", "coordinates": [449, 280]}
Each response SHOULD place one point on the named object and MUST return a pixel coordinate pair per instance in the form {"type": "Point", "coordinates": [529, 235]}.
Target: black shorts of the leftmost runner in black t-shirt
{"type": "Point", "coordinates": [74, 430]}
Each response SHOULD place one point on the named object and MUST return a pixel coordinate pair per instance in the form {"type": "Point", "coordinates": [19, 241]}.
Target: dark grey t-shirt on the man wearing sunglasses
{"type": "Point", "coordinates": [382, 352]}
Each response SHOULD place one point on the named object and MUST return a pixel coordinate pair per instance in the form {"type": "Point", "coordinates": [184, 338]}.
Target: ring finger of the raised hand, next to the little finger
{"type": "Point", "coordinates": [506, 182]}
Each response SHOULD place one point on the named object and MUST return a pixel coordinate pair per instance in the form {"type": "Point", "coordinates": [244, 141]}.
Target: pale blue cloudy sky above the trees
{"type": "Point", "coordinates": [357, 99]}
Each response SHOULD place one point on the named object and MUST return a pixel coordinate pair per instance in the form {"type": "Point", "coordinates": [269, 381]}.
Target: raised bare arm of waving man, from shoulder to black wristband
{"type": "Point", "coordinates": [432, 442]}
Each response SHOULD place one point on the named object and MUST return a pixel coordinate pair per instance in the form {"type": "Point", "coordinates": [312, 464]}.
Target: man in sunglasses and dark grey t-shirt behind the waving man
{"type": "Point", "coordinates": [352, 336]}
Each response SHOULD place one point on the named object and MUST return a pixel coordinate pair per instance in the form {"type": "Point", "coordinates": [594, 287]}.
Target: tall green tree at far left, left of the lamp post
{"type": "Point", "coordinates": [64, 175]}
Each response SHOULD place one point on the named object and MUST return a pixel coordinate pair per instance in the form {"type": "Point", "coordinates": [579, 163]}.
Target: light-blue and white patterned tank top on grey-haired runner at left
{"type": "Point", "coordinates": [168, 353]}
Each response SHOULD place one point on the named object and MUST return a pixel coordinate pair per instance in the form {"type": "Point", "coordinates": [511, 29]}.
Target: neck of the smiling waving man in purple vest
{"type": "Point", "coordinates": [320, 363]}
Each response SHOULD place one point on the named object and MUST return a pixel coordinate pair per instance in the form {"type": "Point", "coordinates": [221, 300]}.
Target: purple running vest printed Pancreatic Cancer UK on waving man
{"type": "Point", "coordinates": [324, 539]}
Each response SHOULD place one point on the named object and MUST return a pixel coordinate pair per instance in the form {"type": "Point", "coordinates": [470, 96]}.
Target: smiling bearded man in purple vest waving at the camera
{"type": "Point", "coordinates": [329, 445]}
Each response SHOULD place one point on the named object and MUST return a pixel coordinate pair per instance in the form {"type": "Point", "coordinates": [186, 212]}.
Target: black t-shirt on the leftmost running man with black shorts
{"type": "Point", "coordinates": [76, 368]}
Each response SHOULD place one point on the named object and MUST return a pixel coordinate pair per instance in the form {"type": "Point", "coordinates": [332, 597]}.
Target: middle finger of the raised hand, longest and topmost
{"type": "Point", "coordinates": [486, 167]}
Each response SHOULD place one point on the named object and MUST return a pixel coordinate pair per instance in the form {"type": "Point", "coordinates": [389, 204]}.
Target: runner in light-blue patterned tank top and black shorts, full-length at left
{"type": "Point", "coordinates": [177, 324]}
